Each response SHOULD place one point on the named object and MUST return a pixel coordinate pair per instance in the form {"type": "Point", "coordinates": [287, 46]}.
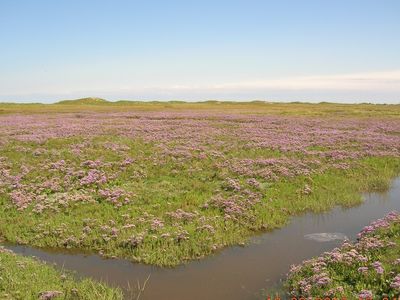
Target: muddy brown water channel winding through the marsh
{"type": "Point", "coordinates": [237, 272]}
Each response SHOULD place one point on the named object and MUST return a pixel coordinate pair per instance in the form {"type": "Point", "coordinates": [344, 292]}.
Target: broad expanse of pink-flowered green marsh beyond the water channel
{"type": "Point", "coordinates": [163, 187]}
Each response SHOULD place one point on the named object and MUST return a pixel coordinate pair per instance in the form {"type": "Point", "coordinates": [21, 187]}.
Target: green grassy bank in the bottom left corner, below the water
{"type": "Point", "coordinates": [27, 278]}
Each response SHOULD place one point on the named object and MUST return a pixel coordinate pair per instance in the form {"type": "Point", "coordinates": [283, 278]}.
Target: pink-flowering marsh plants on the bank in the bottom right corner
{"type": "Point", "coordinates": [366, 269]}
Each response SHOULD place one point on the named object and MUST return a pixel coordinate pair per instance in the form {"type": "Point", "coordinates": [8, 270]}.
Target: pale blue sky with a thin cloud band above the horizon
{"type": "Point", "coordinates": [339, 51]}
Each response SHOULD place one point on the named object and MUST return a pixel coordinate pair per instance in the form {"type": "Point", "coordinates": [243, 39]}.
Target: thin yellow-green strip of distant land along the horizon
{"type": "Point", "coordinates": [256, 107]}
